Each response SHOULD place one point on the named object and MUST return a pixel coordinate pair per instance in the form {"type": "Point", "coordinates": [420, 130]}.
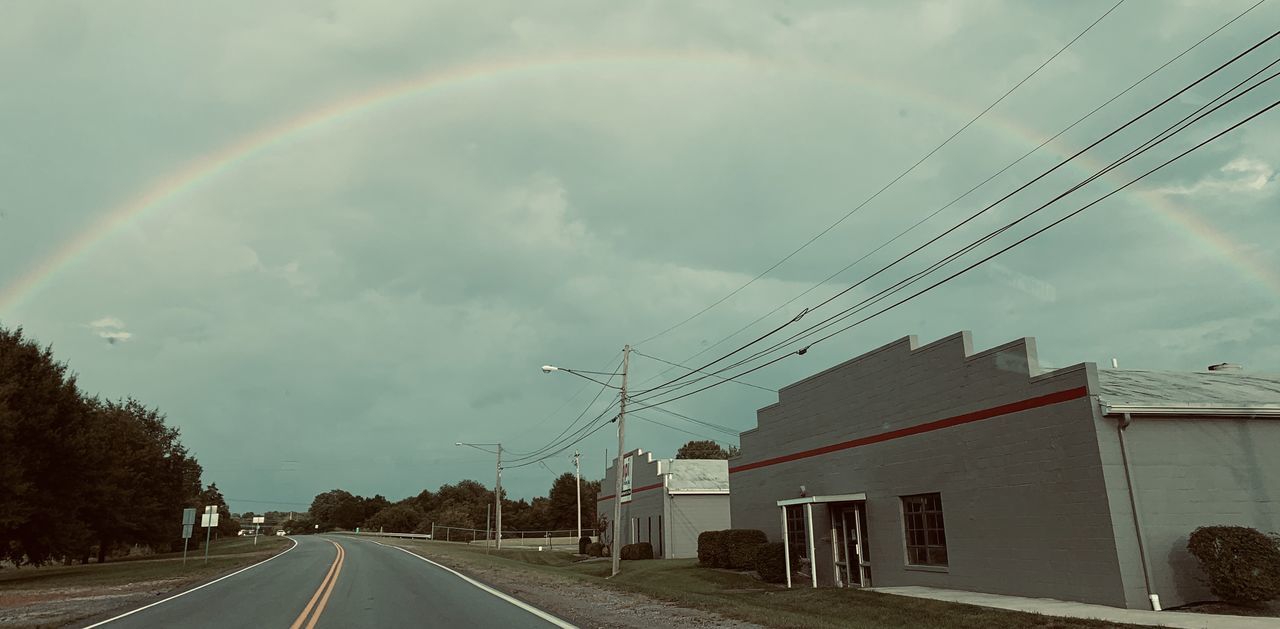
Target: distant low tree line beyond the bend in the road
{"type": "Point", "coordinates": [463, 505]}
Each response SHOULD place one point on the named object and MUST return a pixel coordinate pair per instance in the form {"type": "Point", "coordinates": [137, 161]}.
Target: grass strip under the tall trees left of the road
{"type": "Point", "coordinates": [223, 557]}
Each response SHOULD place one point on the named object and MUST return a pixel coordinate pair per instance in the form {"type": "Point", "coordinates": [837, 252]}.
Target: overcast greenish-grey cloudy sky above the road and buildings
{"type": "Point", "coordinates": [332, 239]}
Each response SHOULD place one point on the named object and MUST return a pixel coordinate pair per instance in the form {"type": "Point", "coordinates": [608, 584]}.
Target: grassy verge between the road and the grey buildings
{"type": "Point", "coordinates": [742, 596]}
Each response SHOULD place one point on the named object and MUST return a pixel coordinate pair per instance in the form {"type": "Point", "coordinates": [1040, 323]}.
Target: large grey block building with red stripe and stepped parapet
{"type": "Point", "coordinates": [940, 467]}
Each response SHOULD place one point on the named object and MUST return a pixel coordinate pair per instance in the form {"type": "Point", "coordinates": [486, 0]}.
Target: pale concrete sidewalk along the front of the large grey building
{"type": "Point", "coordinates": [1054, 608]}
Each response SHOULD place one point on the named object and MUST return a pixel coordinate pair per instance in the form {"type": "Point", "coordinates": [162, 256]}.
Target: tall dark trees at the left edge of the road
{"type": "Point", "coordinates": [81, 476]}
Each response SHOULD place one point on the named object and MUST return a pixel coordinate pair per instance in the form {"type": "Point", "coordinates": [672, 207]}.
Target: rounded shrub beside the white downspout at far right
{"type": "Point", "coordinates": [1241, 566]}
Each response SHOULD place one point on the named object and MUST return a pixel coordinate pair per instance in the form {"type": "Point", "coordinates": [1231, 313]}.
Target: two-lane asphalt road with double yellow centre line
{"type": "Point", "coordinates": [333, 584]}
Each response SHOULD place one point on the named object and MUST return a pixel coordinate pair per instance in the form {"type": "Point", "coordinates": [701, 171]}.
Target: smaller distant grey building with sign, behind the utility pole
{"type": "Point", "coordinates": [668, 503]}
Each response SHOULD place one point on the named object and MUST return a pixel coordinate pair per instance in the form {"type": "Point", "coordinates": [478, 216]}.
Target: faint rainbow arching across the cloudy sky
{"type": "Point", "coordinates": [163, 193]}
